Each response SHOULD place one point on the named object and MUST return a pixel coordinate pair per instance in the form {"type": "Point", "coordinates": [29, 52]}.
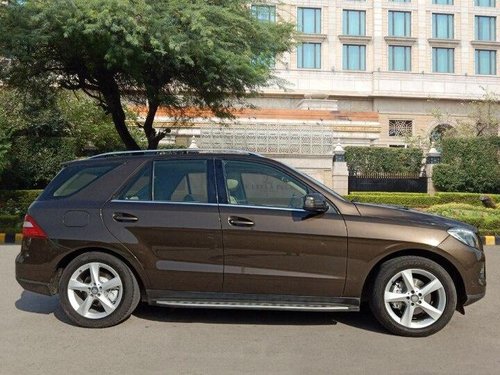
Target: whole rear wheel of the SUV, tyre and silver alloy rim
{"type": "Point", "coordinates": [103, 303]}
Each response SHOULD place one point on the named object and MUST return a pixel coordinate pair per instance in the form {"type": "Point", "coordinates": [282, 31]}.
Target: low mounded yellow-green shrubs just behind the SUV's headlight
{"type": "Point", "coordinates": [486, 219]}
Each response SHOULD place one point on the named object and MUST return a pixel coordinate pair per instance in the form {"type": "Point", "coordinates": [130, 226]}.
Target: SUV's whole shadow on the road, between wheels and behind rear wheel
{"type": "Point", "coordinates": [40, 304]}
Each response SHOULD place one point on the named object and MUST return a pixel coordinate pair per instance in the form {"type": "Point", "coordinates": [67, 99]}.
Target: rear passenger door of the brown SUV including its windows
{"type": "Point", "coordinates": [168, 217]}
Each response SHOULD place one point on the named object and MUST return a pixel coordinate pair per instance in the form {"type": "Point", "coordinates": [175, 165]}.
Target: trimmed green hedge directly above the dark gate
{"type": "Point", "coordinates": [366, 160]}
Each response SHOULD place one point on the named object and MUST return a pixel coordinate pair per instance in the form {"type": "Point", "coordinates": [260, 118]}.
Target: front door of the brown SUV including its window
{"type": "Point", "coordinates": [272, 245]}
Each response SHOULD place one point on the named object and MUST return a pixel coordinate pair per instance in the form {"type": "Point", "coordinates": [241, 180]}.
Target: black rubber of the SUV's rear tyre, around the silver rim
{"type": "Point", "coordinates": [129, 291]}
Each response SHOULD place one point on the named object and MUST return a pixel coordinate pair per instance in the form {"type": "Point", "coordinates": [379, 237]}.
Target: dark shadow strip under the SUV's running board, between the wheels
{"type": "Point", "coordinates": [362, 320]}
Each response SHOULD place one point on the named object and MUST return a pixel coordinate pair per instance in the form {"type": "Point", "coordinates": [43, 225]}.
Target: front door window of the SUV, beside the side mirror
{"type": "Point", "coordinates": [257, 184]}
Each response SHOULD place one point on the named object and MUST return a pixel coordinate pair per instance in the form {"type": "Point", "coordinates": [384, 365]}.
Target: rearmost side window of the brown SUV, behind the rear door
{"type": "Point", "coordinates": [75, 178]}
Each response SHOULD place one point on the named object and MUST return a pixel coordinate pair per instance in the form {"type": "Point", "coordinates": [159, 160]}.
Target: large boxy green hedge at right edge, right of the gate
{"type": "Point", "coordinates": [469, 165]}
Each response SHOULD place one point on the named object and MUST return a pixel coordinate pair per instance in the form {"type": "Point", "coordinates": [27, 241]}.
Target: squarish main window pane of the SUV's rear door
{"type": "Point", "coordinates": [180, 181]}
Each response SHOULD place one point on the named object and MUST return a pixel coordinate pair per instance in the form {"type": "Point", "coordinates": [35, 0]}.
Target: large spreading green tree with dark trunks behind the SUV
{"type": "Point", "coordinates": [182, 55]}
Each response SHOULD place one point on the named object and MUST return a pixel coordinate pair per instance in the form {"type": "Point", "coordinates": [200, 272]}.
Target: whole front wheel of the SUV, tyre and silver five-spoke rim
{"type": "Point", "coordinates": [413, 296]}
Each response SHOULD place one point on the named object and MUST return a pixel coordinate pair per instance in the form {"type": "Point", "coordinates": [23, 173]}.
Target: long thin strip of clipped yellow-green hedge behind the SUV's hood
{"type": "Point", "coordinates": [419, 200]}
